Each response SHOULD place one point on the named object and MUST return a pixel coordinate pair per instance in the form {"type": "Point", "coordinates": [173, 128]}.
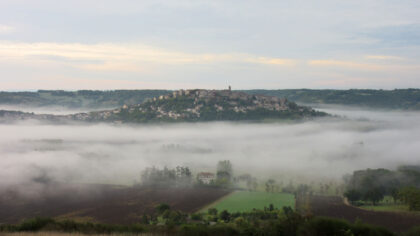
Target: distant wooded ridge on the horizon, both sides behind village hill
{"type": "Point", "coordinates": [405, 99]}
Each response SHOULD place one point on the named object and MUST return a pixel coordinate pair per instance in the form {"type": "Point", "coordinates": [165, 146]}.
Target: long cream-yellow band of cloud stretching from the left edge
{"type": "Point", "coordinates": [121, 57]}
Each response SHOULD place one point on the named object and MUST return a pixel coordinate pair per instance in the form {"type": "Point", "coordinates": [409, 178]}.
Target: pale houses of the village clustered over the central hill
{"type": "Point", "coordinates": [220, 100]}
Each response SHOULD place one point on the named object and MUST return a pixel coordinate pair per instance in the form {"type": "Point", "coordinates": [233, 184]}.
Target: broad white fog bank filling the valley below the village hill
{"type": "Point", "coordinates": [325, 149]}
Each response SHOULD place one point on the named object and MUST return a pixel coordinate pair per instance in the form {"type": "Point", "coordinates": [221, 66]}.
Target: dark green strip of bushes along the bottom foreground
{"type": "Point", "coordinates": [257, 222]}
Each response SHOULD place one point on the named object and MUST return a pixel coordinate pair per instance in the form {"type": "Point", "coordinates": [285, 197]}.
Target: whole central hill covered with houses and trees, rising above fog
{"type": "Point", "coordinates": [204, 105]}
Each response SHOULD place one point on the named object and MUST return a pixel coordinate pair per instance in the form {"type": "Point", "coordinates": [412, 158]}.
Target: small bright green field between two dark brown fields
{"type": "Point", "coordinates": [241, 201]}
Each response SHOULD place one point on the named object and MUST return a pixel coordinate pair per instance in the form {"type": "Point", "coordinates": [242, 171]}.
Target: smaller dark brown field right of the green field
{"type": "Point", "coordinates": [334, 207]}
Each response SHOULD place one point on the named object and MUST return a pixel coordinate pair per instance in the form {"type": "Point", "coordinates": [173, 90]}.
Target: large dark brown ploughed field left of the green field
{"type": "Point", "coordinates": [102, 203]}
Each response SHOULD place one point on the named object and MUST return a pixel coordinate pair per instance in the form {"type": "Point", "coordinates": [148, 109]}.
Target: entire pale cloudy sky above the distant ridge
{"type": "Point", "coordinates": [87, 44]}
